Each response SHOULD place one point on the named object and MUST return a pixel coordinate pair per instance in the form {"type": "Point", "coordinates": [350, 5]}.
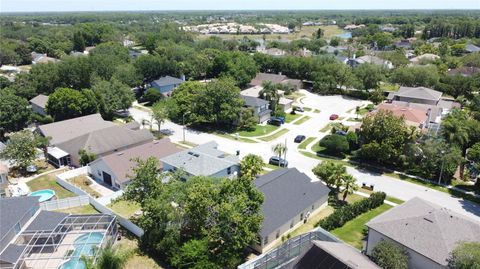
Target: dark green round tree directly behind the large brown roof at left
{"type": "Point", "coordinates": [67, 103]}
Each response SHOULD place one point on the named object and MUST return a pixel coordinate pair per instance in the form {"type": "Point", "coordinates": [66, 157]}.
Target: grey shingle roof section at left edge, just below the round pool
{"type": "Point", "coordinates": [13, 210]}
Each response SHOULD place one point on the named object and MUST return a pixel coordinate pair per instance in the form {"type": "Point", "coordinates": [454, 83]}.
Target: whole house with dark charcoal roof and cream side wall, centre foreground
{"type": "Point", "coordinates": [290, 198]}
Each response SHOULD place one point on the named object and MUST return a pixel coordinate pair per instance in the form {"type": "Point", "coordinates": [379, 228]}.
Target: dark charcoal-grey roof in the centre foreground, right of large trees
{"type": "Point", "coordinates": [287, 192]}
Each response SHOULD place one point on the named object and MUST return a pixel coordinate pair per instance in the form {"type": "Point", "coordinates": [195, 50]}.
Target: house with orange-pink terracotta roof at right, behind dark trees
{"type": "Point", "coordinates": [416, 117]}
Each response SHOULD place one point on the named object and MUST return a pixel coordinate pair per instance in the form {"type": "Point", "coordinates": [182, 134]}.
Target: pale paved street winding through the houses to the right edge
{"type": "Point", "coordinates": [327, 105]}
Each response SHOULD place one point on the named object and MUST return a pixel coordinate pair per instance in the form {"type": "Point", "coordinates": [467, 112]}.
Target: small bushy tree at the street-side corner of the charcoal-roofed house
{"type": "Point", "coordinates": [330, 173]}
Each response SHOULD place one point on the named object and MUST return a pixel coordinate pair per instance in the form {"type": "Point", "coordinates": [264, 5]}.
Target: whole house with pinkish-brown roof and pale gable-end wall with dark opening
{"type": "Point", "coordinates": [115, 169]}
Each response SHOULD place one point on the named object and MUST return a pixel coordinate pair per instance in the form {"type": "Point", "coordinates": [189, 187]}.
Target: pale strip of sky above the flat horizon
{"type": "Point", "coordinates": [116, 5]}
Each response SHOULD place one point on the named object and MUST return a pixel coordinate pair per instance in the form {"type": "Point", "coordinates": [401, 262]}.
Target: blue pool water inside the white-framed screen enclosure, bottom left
{"type": "Point", "coordinates": [83, 247]}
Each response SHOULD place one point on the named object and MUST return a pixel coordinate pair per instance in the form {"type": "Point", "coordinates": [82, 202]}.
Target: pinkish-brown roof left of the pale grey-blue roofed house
{"type": "Point", "coordinates": [121, 163]}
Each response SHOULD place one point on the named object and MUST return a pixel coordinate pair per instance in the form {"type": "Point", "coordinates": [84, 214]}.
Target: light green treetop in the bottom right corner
{"type": "Point", "coordinates": [466, 255]}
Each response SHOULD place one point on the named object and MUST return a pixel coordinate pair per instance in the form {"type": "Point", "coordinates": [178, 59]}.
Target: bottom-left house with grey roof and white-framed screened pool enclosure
{"type": "Point", "coordinates": [34, 238]}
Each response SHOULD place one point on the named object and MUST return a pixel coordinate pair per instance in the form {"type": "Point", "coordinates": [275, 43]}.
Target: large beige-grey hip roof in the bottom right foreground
{"type": "Point", "coordinates": [426, 228]}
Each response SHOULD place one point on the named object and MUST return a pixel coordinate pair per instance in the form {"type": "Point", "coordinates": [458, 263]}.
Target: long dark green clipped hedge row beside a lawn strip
{"type": "Point", "coordinates": [340, 216]}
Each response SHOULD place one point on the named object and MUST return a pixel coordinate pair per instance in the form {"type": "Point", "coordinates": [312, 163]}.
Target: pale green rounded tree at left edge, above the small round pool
{"type": "Point", "coordinates": [20, 149]}
